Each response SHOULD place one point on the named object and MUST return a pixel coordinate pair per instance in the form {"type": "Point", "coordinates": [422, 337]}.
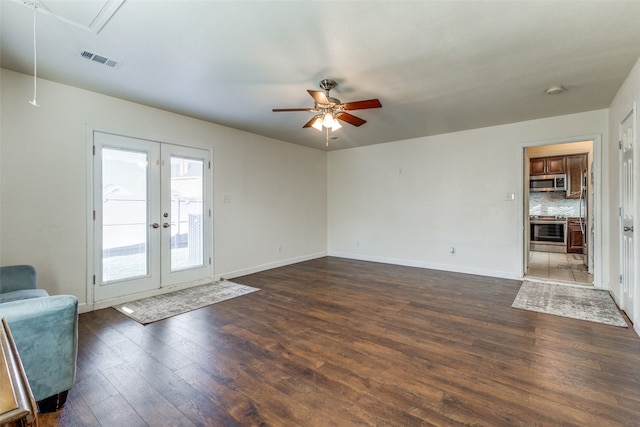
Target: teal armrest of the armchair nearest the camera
{"type": "Point", "coordinates": [45, 331]}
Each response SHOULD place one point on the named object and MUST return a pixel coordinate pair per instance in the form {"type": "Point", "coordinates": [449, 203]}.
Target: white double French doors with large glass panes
{"type": "Point", "coordinates": [151, 215]}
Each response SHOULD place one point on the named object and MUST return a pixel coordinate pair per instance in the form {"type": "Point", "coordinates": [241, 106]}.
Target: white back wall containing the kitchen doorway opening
{"type": "Point", "coordinates": [408, 202]}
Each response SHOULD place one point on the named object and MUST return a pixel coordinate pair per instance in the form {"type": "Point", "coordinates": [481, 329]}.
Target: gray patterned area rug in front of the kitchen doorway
{"type": "Point", "coordinates": [593, 305]}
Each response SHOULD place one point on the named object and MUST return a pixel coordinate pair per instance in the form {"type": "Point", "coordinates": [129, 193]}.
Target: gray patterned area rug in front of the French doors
{"type": "Point", "coordinates": [152, 309]}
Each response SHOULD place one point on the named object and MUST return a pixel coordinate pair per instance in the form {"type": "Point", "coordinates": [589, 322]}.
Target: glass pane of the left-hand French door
{"type": "Point", "coordinates": [125, 235]}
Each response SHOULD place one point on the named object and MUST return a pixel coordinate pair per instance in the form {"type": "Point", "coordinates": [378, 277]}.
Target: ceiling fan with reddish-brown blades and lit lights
{"type": "Point", "coordinates": [330, 111]}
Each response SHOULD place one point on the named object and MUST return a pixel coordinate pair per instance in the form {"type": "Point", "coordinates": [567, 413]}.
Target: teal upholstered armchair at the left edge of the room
{"type": "Point", "coordinates": [45, 331]}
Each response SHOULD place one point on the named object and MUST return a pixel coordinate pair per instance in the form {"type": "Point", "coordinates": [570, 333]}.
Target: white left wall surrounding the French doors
{"type": "Point", "coordinates": [278, 190]}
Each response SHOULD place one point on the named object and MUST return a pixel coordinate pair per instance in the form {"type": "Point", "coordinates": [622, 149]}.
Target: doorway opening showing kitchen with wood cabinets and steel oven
{"type": "Point", "coordinates": [558, 212]}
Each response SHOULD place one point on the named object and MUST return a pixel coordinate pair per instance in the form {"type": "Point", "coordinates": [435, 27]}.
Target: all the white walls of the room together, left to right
{"type": "Point", "coordinates": [405, 202]}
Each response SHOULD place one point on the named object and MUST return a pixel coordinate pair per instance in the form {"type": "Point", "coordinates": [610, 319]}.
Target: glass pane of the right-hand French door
{"type": "Point", "coordinates": [187, 213]}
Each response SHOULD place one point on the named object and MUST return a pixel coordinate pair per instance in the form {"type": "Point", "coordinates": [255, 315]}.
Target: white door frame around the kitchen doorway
{"type": "Point", "coordinates": [596, 208]}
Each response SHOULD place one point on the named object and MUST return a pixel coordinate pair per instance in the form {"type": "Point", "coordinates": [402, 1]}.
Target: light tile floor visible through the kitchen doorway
{"type": "Point", "coordinates": [555, 266]}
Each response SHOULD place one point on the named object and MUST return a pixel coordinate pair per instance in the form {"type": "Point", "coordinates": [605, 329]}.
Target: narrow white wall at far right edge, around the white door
{"type": "Point", "coordinates": [622, 104]}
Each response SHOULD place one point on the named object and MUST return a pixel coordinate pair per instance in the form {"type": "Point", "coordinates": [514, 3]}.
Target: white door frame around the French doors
{"type": "Point", "coordinates": [92, 304]}
